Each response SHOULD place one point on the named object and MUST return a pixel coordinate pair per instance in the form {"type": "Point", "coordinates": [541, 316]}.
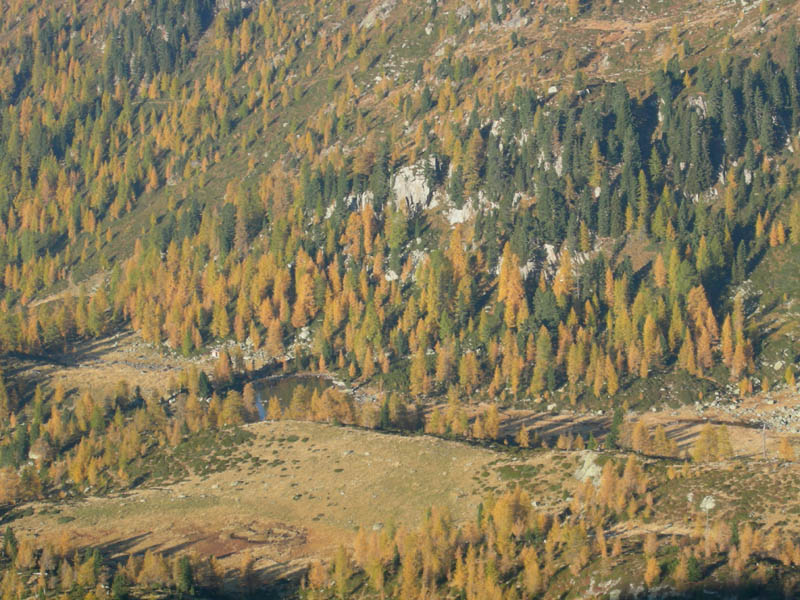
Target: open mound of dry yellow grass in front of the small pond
{"type": "Point", "coordinates": [330, 480]}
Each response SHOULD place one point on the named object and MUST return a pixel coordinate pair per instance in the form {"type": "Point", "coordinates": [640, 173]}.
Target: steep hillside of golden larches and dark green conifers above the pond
{"type": "Point", "coordinates": [514, 240]}
